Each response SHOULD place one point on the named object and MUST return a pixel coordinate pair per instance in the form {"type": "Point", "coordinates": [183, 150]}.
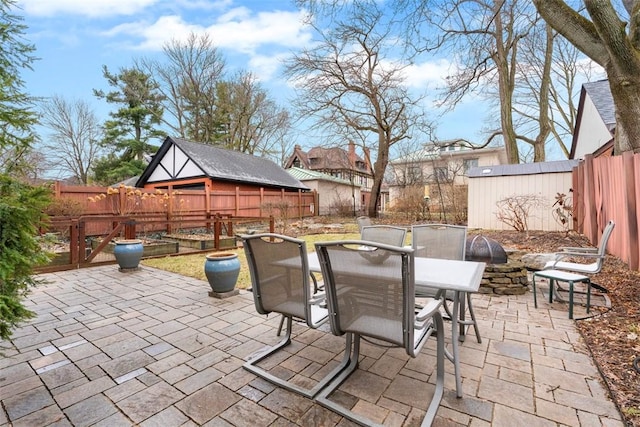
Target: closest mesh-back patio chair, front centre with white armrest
{"type": "Point", "coordinates": [376, 302]}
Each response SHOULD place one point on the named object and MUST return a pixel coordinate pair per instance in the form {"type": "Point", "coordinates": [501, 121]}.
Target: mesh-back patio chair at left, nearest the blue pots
{"type": "Point", "coordinates": [280, 282]}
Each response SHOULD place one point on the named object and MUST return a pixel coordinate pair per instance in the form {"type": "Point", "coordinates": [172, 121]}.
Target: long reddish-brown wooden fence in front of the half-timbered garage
{"type": "Point", "coordinates": [180, 207]}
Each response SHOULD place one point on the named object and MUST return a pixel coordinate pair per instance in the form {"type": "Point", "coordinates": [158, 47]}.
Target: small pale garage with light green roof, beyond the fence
{"type": "Point", "coordinates": [335, 195]}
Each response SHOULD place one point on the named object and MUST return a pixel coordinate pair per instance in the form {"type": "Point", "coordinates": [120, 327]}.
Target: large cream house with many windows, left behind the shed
{"type": "Point", "coordinates": [444, 162]}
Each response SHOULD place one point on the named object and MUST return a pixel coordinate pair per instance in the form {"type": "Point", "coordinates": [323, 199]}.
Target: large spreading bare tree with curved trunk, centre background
{"type": "Point", "coordinates": [351, 87]}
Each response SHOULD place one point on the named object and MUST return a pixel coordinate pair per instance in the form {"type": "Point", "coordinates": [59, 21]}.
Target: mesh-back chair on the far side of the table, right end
{"type": "Point", "coordinates": [445, 241]}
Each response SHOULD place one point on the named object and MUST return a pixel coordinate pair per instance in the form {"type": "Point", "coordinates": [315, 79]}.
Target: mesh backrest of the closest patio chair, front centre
{"type": "Point", "coordinates": [370, 299]}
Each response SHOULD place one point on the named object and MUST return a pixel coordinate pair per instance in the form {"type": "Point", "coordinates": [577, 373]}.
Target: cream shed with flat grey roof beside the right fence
{"type": "Point", "coordinates": [543, 180]}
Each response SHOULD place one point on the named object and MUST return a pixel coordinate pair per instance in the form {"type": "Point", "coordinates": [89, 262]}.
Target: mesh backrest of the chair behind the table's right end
{"type": "Point", "coordinates": [441, 241]}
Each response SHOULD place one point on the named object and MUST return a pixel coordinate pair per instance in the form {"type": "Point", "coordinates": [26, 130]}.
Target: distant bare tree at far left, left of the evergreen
{"type": "Point", "coordinates": [73, 142]}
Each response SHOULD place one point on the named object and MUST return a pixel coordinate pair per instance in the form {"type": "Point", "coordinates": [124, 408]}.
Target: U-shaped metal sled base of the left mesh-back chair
{"type": "Point", "coordinates": [251, 366]}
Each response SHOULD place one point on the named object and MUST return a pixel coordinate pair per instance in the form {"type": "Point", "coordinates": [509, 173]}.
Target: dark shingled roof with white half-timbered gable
{"type": "Point", "coordinates": [199, 159]}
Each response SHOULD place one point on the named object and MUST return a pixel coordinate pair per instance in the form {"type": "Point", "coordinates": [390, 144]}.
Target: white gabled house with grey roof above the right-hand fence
{"type": "Point", "coordinates": [595, 121]}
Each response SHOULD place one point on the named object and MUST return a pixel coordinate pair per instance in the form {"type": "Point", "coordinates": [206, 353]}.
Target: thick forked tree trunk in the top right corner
{"type": "Point", "coordinates": [614, 44]}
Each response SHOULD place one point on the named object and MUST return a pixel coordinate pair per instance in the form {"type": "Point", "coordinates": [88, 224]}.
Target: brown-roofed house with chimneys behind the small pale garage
{"type": "Point", "coordinates": [339, 163]}
